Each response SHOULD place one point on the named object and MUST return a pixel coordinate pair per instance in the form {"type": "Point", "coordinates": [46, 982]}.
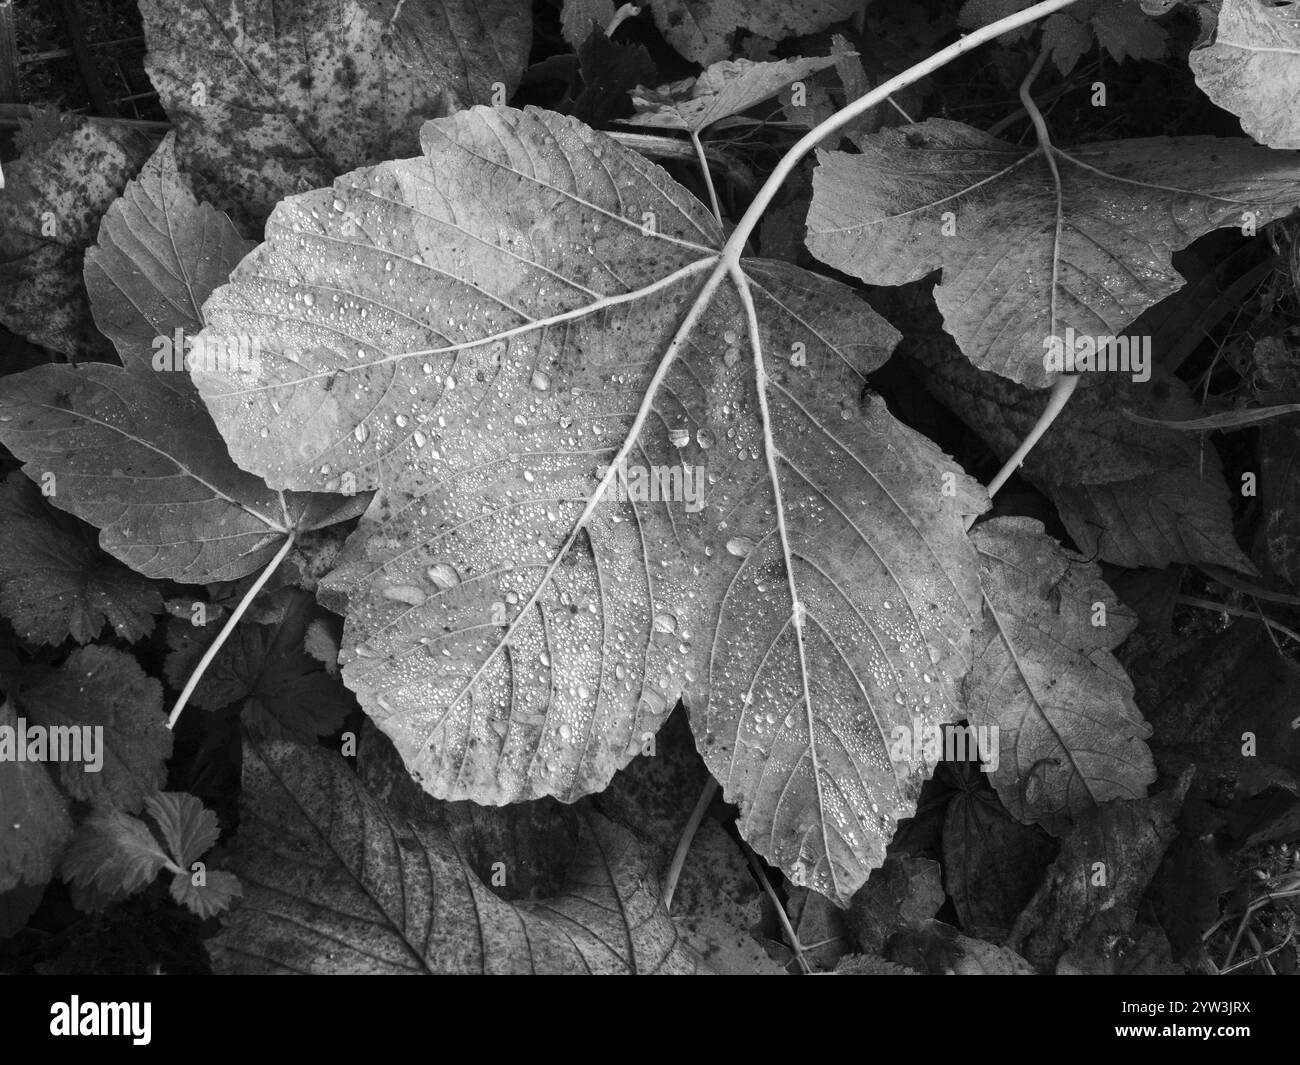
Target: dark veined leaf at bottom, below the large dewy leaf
{"type": "Point", "coordinates": [369, 891]}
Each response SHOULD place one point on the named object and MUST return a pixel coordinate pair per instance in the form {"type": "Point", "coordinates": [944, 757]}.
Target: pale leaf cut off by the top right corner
{"type": "Point", "coordinates": [1253, 68]}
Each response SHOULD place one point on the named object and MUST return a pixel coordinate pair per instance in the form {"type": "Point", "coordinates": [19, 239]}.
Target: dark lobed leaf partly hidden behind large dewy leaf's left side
{"type": "Point", "coordinates": [131, 449]}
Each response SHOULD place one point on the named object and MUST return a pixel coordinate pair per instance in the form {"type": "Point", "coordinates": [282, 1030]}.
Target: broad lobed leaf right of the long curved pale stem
{"type": "Point", "coordinates": [1034, 243]}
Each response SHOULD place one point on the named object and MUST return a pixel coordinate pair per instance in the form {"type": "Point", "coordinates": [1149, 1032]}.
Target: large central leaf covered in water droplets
{"type": "Point", "coordinates": [521, 318]}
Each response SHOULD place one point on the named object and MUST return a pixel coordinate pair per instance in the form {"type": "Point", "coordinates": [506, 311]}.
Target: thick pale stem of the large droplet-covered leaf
{"type": "Point", "coordinates": [762, 201]}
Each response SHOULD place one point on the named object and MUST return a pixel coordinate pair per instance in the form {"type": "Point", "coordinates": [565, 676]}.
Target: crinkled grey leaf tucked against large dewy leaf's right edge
{"type": "Point", "coordinates": [1069, 733]}
